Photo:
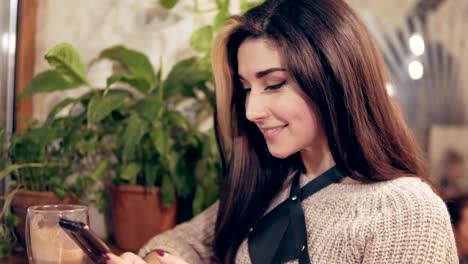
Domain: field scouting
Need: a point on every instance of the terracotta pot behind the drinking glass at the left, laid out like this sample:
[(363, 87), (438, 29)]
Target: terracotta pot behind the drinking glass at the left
[(24, 199)]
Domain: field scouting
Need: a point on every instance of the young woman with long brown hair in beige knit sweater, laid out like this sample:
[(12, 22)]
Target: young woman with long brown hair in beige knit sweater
[(319, 165)]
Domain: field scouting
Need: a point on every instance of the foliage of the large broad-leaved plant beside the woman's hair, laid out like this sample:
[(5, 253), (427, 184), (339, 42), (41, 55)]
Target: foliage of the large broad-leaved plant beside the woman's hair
[(132, 127)]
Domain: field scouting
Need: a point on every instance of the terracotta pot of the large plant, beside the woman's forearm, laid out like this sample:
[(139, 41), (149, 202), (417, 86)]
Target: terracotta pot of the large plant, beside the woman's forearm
[(138, 214)]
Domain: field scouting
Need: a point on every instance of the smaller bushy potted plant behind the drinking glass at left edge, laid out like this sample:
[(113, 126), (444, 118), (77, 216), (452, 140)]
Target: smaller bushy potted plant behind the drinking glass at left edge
[(38, 176)]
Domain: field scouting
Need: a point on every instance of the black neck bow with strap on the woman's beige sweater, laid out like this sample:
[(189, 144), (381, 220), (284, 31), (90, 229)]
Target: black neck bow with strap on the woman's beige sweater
[(281, 235)]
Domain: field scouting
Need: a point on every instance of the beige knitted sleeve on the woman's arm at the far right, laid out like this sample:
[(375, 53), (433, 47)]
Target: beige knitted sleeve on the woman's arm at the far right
[(415, 229)]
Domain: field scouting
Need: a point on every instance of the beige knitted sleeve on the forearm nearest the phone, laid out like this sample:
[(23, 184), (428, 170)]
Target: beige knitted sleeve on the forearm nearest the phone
[(192, 240)]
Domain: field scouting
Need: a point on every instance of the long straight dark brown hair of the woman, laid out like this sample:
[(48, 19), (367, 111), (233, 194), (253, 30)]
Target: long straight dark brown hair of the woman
[(331, 56)]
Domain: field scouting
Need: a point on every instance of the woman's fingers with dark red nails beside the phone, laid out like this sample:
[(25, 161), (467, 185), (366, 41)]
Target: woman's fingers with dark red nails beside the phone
[(155, 257)]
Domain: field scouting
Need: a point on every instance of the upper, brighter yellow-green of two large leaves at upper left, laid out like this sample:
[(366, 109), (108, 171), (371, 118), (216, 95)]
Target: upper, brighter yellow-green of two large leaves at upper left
[(67, 63)]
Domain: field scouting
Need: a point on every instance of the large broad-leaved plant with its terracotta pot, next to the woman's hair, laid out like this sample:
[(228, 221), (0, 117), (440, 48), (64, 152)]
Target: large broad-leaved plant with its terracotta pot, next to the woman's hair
[(159, 149)]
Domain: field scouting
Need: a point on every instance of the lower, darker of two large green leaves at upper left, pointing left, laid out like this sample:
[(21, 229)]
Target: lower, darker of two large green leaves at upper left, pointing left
[(48, 81)]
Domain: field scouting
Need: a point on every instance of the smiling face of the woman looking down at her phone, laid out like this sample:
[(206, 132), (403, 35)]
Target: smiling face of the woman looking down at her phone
[(285, 115)]
